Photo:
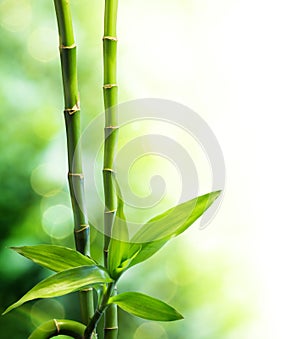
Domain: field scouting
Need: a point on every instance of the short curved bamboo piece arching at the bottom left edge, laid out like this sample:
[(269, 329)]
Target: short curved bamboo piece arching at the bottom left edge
[(53, 328)]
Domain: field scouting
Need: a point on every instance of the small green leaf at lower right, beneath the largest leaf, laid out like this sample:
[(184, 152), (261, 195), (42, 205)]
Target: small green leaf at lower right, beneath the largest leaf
[(146, 307)]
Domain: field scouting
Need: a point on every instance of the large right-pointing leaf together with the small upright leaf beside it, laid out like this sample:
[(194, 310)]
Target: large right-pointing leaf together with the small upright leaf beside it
[(155, 233)]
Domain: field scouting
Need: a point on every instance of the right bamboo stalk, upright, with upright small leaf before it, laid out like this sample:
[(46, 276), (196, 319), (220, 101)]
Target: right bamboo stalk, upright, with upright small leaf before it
[(110, 93)]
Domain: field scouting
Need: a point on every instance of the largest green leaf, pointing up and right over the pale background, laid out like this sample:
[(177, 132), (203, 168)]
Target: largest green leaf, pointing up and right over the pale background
[(160, 229)]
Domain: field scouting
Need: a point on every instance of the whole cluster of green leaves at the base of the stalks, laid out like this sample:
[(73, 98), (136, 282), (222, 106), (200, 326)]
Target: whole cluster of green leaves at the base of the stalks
[(74, 271)]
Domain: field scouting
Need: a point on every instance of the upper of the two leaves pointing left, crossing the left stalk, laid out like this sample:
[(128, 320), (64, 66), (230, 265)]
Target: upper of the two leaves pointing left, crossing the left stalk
[(56, 258)]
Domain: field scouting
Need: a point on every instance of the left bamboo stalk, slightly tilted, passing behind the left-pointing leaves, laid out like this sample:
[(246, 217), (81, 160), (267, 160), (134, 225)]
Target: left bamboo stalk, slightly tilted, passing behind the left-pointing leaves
[(68, 58)]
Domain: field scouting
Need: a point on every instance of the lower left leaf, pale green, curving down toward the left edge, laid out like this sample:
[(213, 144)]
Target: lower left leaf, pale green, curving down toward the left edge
[(65, 282)]
